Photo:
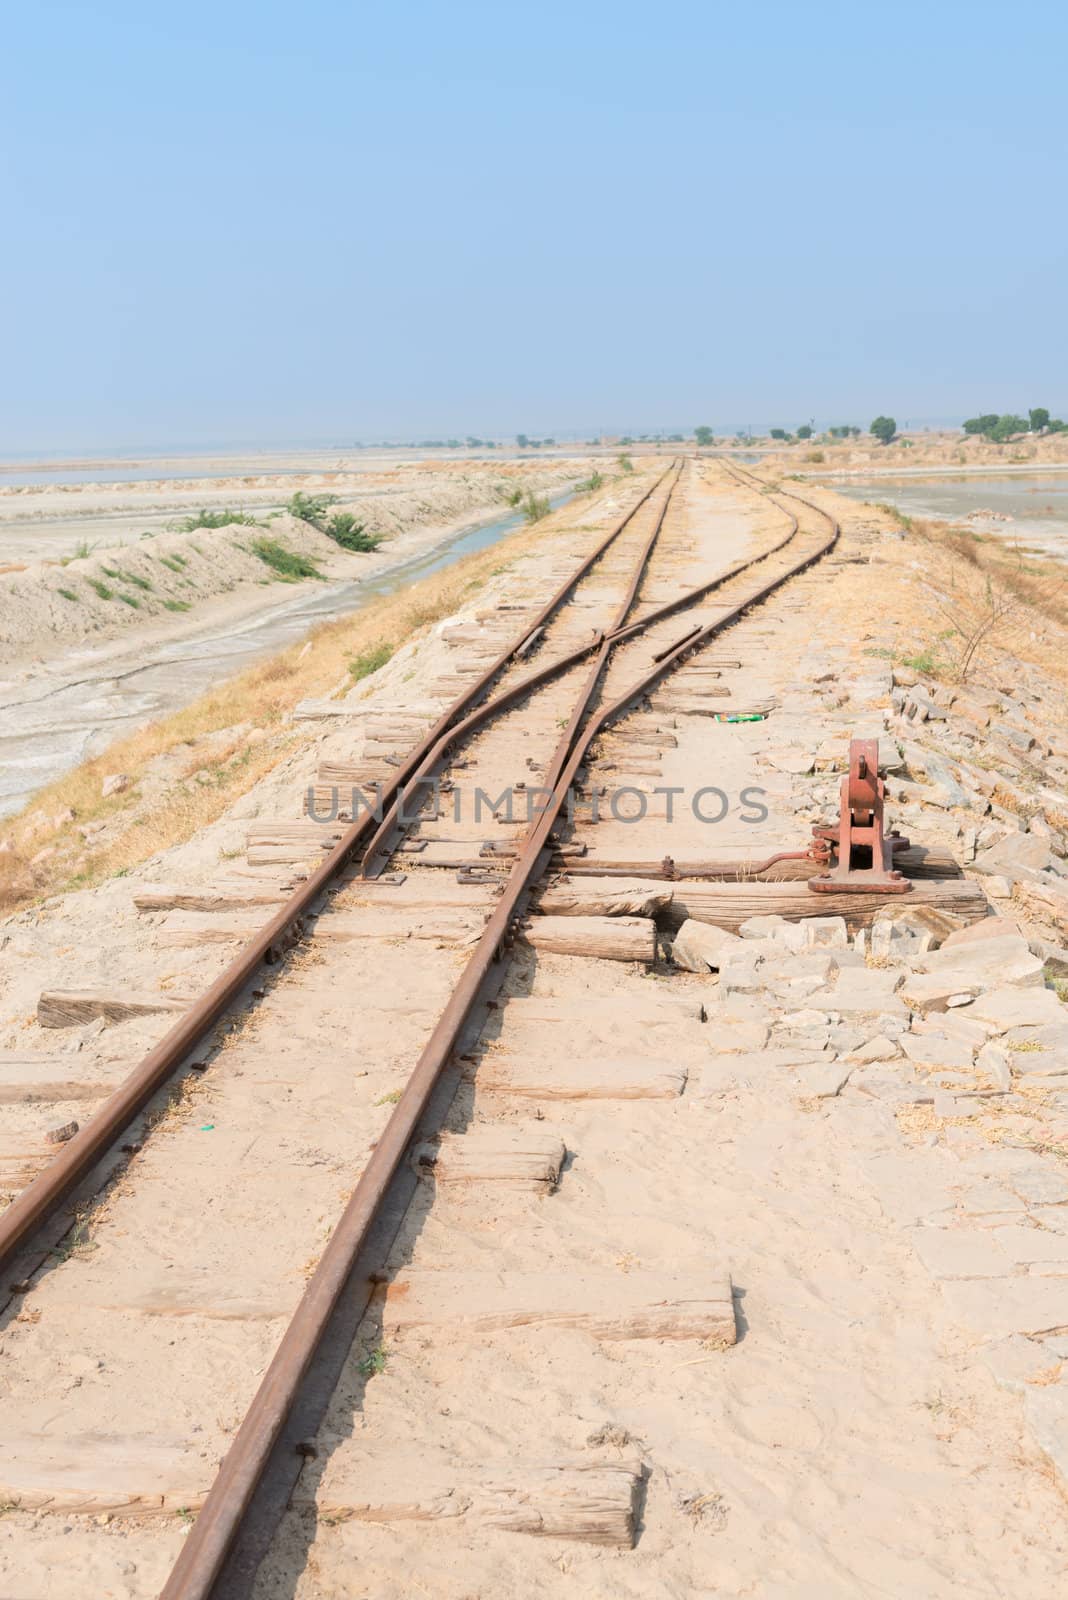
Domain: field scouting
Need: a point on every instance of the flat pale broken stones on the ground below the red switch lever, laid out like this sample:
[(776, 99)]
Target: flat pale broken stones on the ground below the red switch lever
[(944, 1060)]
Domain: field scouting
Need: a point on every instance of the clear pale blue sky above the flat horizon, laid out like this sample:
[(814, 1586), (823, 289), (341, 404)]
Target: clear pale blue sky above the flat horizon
[(337, 222)]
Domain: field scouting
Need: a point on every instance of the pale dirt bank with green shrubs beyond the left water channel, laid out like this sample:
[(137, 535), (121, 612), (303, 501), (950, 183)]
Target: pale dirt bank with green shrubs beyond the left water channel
[(170, 577)]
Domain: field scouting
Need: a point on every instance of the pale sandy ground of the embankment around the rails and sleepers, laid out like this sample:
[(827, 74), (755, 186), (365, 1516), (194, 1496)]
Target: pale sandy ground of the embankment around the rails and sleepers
[(890, 1418)]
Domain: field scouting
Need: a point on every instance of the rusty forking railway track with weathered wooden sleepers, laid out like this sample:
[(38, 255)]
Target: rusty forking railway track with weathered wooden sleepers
[(536, 711)]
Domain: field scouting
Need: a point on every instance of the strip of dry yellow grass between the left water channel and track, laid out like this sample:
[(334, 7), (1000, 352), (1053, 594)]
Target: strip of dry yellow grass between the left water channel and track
[(202, 786)]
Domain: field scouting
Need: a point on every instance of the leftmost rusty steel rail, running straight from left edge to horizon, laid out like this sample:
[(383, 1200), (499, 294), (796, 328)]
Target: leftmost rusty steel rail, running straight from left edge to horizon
[(78, 1159)]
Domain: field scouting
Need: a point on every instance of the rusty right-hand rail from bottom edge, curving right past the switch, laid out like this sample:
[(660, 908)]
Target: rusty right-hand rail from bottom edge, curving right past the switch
[(212, 1537)]
